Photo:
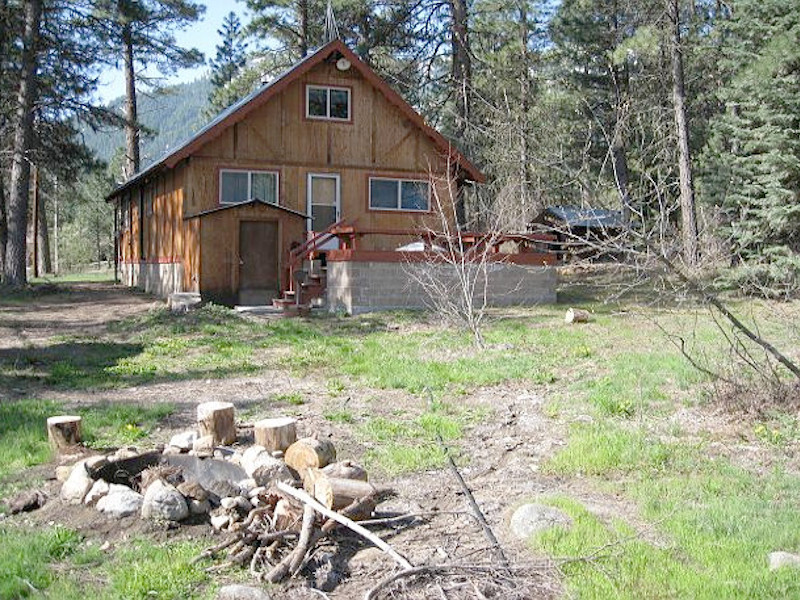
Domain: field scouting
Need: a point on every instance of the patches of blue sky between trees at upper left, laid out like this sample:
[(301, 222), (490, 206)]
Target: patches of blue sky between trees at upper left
[(202, 35)]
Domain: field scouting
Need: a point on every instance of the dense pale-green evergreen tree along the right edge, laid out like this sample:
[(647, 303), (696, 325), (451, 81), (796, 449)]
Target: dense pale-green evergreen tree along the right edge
[(752, 167)]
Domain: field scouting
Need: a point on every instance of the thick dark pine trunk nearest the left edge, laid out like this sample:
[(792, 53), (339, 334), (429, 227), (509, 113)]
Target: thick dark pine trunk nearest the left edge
[(14, 266)]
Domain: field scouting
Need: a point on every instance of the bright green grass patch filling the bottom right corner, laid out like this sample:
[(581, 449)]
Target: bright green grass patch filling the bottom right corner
[(718, 521)]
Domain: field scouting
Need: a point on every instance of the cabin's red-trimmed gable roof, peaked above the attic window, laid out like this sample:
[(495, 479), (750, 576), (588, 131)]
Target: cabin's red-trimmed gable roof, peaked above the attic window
[(239, 111)]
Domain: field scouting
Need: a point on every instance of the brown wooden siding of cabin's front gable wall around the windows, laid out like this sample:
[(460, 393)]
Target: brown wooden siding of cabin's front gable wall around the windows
[(379, 141)]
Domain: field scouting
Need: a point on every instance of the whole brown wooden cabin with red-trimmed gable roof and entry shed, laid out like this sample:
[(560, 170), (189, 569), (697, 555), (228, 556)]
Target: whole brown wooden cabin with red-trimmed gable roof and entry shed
[(327, 145)]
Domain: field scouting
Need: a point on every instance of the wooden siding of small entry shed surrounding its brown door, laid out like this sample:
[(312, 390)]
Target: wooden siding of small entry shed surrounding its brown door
[(219, 246)]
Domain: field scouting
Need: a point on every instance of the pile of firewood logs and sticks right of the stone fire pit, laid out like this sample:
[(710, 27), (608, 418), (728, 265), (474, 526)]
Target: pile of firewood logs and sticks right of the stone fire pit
[(277, 529)]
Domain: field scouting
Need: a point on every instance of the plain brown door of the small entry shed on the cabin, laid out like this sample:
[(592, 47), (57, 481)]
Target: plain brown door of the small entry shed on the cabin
[(259, 279)]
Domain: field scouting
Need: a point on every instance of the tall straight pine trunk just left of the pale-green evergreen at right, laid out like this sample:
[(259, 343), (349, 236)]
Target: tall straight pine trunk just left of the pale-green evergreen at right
[(688, 214)]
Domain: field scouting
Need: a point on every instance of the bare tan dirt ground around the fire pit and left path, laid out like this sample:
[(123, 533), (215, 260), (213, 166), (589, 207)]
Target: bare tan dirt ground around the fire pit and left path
[(504, 450)]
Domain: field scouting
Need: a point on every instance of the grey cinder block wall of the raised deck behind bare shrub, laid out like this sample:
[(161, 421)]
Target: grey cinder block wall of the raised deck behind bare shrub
[(356, 287)]
